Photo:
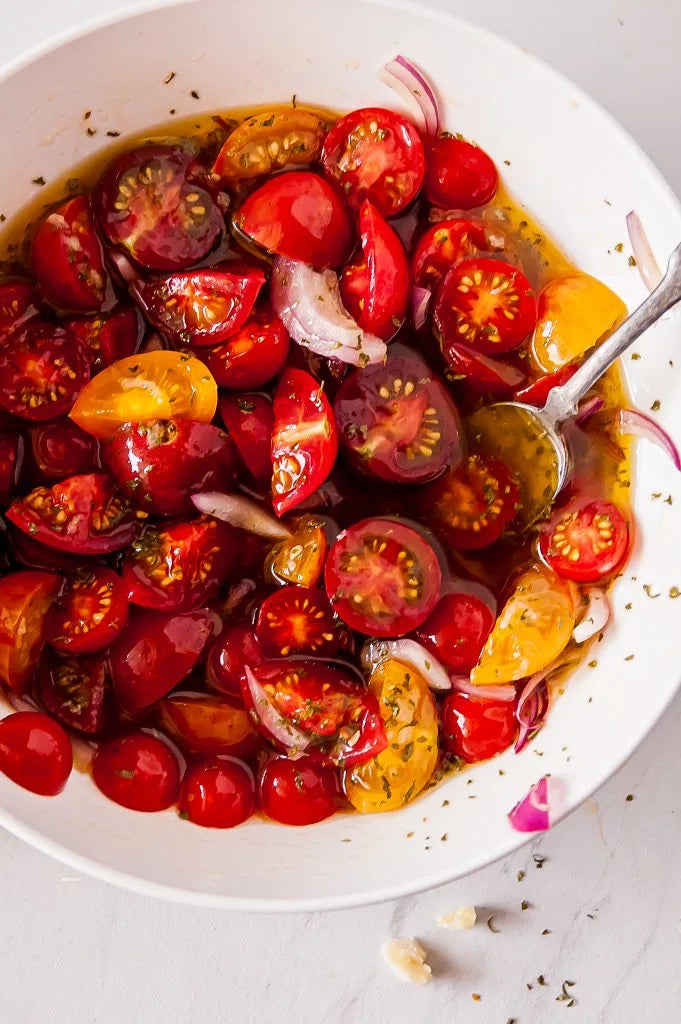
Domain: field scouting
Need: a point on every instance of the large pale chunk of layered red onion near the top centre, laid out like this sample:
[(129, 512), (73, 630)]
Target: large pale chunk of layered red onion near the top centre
[(309, 305)]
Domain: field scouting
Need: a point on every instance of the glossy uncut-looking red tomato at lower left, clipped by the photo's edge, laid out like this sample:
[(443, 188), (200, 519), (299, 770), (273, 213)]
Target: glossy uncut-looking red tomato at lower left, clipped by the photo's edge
[(35, 753)]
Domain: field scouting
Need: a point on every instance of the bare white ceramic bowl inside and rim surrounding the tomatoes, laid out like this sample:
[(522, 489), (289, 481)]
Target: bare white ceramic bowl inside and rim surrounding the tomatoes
[(580, 175)]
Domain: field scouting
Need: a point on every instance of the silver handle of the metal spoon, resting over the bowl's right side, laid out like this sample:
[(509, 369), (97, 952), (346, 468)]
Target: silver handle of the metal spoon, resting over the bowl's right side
[(564, 401)]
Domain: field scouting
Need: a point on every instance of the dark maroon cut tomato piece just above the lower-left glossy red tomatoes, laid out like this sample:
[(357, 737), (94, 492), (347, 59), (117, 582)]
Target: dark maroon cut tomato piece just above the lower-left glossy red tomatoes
[(76, 691)]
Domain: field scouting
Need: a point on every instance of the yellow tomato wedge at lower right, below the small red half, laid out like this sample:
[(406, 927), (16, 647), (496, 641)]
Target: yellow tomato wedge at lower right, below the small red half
[(534, 627)]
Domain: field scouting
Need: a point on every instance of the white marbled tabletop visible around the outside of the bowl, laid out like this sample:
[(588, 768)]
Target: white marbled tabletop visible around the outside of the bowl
[(73, 950)]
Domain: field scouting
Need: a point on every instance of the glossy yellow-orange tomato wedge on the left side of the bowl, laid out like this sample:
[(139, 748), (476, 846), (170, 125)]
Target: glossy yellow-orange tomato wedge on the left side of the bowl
[(148, 387)]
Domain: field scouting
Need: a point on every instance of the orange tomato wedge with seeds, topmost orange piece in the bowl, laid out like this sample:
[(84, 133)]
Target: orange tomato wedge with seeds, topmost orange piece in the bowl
[(270, 141)]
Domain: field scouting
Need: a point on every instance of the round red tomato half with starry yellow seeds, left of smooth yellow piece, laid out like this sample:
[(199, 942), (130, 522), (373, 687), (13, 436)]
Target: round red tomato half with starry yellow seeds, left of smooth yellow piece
[(487, 305)]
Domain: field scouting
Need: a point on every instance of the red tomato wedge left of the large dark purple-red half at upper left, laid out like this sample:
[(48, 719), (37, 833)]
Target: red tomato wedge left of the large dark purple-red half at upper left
[(68, 261)]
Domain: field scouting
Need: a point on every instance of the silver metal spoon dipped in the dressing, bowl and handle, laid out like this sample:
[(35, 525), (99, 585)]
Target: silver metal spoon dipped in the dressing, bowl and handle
[(529, 440)]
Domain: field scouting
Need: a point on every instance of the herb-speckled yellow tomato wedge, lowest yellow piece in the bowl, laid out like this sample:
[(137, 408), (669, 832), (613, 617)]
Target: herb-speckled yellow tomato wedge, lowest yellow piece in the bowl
[(400, 773)]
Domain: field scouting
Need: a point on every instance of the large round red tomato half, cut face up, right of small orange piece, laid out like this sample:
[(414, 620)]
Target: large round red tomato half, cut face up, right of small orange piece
[(382, 578)]
